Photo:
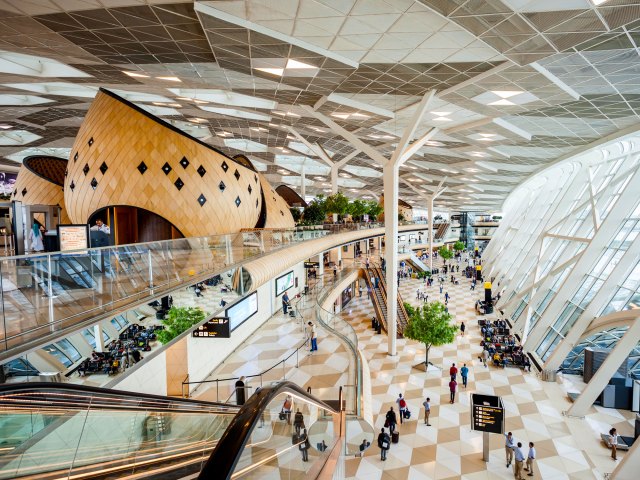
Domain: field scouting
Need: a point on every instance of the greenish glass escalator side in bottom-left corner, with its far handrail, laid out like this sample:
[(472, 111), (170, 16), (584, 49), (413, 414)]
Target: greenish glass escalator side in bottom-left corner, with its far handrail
[(54, 432)]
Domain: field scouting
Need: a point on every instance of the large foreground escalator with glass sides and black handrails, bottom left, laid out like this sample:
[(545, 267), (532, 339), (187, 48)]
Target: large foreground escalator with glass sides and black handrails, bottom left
[(60, 431)]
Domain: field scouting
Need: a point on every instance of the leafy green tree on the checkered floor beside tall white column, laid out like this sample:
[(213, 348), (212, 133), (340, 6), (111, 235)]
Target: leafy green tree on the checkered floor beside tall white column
[(430, 324)]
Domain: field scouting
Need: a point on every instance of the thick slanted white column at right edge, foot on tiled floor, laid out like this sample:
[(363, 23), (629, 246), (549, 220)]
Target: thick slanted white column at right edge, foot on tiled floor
[(601, 378)]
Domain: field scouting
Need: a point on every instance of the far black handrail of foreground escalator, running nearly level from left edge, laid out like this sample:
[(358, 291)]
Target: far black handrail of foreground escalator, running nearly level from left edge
[(81, 397)]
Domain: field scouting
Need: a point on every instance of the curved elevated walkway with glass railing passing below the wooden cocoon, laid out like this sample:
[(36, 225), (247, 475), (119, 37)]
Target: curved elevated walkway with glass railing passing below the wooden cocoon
[(46, 297)]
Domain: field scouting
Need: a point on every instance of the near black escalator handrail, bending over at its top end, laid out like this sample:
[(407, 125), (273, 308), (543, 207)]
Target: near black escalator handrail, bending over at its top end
[(224, 458)]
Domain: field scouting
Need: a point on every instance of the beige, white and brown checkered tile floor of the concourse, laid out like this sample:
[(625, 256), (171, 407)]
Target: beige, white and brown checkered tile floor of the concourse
[(567, 448)]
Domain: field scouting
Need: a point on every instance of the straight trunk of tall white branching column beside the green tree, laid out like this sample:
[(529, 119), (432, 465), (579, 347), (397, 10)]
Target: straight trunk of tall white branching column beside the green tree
[(390, 176)]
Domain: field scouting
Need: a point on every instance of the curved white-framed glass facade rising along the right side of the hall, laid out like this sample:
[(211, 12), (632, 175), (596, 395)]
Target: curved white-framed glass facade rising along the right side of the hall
[(567, 251)]
